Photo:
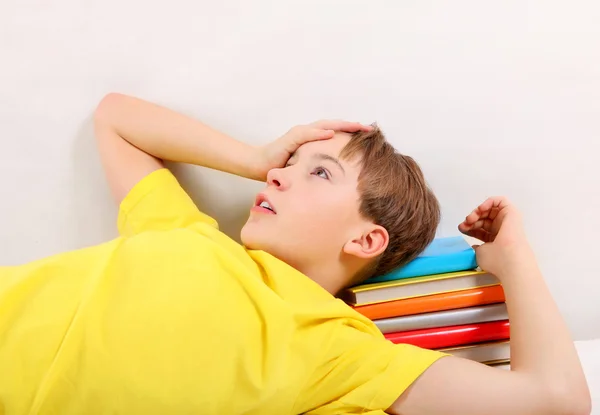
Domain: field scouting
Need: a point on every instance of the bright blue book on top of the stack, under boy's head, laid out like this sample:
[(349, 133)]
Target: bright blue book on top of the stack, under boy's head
[(441, 256)]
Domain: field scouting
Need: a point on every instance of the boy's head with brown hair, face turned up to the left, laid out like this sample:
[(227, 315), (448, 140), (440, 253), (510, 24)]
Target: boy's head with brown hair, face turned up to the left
[(345, 209)]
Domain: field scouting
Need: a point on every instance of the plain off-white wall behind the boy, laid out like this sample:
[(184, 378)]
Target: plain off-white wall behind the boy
[(490, 97)]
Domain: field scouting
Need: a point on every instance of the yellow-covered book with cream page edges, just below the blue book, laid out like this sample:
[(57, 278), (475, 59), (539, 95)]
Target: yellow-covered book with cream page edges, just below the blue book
[(417, 287)]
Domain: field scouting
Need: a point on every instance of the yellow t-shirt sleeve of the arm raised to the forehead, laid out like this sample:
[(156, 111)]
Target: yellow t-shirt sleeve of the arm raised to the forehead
[(158, 202)]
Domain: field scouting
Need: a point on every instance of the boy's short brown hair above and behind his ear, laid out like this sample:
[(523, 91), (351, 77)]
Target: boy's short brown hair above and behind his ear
[(395, 195)]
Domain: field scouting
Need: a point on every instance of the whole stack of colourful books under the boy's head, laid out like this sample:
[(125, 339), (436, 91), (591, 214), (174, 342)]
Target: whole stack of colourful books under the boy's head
[(441, 301)]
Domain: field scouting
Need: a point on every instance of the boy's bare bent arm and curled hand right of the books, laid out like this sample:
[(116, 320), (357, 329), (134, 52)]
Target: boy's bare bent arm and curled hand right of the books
[(546, 376)]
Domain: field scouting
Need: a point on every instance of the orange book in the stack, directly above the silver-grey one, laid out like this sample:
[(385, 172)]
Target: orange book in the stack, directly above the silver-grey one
[(437, 302)]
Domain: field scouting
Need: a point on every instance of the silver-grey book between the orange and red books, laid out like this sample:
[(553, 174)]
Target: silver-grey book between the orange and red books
[(458, 317)]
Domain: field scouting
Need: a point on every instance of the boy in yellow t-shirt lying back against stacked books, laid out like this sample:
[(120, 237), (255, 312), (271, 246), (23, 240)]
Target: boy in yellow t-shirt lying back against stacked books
[(175, 317)]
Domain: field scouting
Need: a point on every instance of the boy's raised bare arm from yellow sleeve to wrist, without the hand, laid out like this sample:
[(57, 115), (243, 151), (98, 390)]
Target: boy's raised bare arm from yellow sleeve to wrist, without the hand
[(134, 136)]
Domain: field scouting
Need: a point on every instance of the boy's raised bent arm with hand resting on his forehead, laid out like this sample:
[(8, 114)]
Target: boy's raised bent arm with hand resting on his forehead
[(134, 136)]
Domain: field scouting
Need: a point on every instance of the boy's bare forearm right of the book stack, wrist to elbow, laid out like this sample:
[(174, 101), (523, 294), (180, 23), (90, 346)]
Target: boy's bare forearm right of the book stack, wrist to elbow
[(541, 345)]
